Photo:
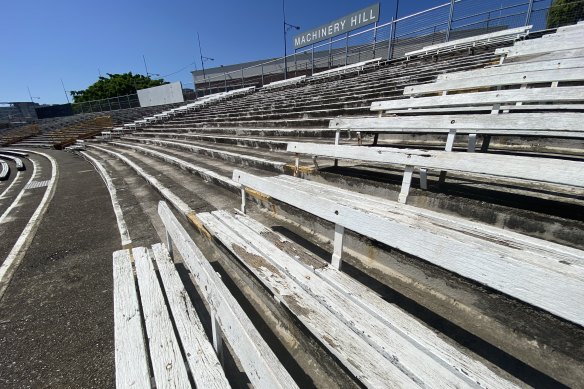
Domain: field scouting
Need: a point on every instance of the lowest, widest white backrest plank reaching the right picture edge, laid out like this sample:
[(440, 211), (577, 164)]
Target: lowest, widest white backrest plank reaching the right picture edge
[(557, 290)]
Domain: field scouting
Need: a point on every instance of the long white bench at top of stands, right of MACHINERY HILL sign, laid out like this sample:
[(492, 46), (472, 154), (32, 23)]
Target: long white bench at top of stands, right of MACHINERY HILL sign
[(470, 42)]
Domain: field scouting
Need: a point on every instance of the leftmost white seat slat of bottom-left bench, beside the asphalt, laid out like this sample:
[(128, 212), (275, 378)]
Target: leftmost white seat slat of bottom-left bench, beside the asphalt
[(131, 359)]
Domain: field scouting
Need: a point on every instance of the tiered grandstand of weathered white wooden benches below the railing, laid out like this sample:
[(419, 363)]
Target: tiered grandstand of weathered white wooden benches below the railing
[(238, 143)]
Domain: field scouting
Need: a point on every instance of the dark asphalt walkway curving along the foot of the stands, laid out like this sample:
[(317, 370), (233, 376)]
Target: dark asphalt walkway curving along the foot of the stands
[(56, 317)]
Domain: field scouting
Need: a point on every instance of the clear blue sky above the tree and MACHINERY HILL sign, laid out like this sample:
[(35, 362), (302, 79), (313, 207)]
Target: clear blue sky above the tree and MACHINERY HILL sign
[(46, 41)]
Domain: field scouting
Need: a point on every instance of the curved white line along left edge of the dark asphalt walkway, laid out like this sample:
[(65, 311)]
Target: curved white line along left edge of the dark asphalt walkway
[(17, 253)]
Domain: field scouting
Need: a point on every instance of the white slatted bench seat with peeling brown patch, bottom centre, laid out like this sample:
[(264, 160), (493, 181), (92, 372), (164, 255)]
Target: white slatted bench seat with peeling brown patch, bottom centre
[(381, 345)]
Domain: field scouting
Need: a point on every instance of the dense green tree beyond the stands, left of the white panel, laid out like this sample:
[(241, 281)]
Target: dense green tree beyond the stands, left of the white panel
[(115, 85)]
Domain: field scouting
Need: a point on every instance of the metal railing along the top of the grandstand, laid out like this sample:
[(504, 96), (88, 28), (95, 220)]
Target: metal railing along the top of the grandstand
[(449, 21)]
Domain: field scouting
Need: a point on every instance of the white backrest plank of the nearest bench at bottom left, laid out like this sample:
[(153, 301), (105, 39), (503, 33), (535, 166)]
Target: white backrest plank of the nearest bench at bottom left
[(259, 362)]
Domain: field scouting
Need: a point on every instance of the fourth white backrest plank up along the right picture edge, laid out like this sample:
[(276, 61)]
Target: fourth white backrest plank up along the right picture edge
[(534, 95)]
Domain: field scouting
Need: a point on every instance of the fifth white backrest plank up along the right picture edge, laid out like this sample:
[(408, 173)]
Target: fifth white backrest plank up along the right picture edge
[(560, 75)]
